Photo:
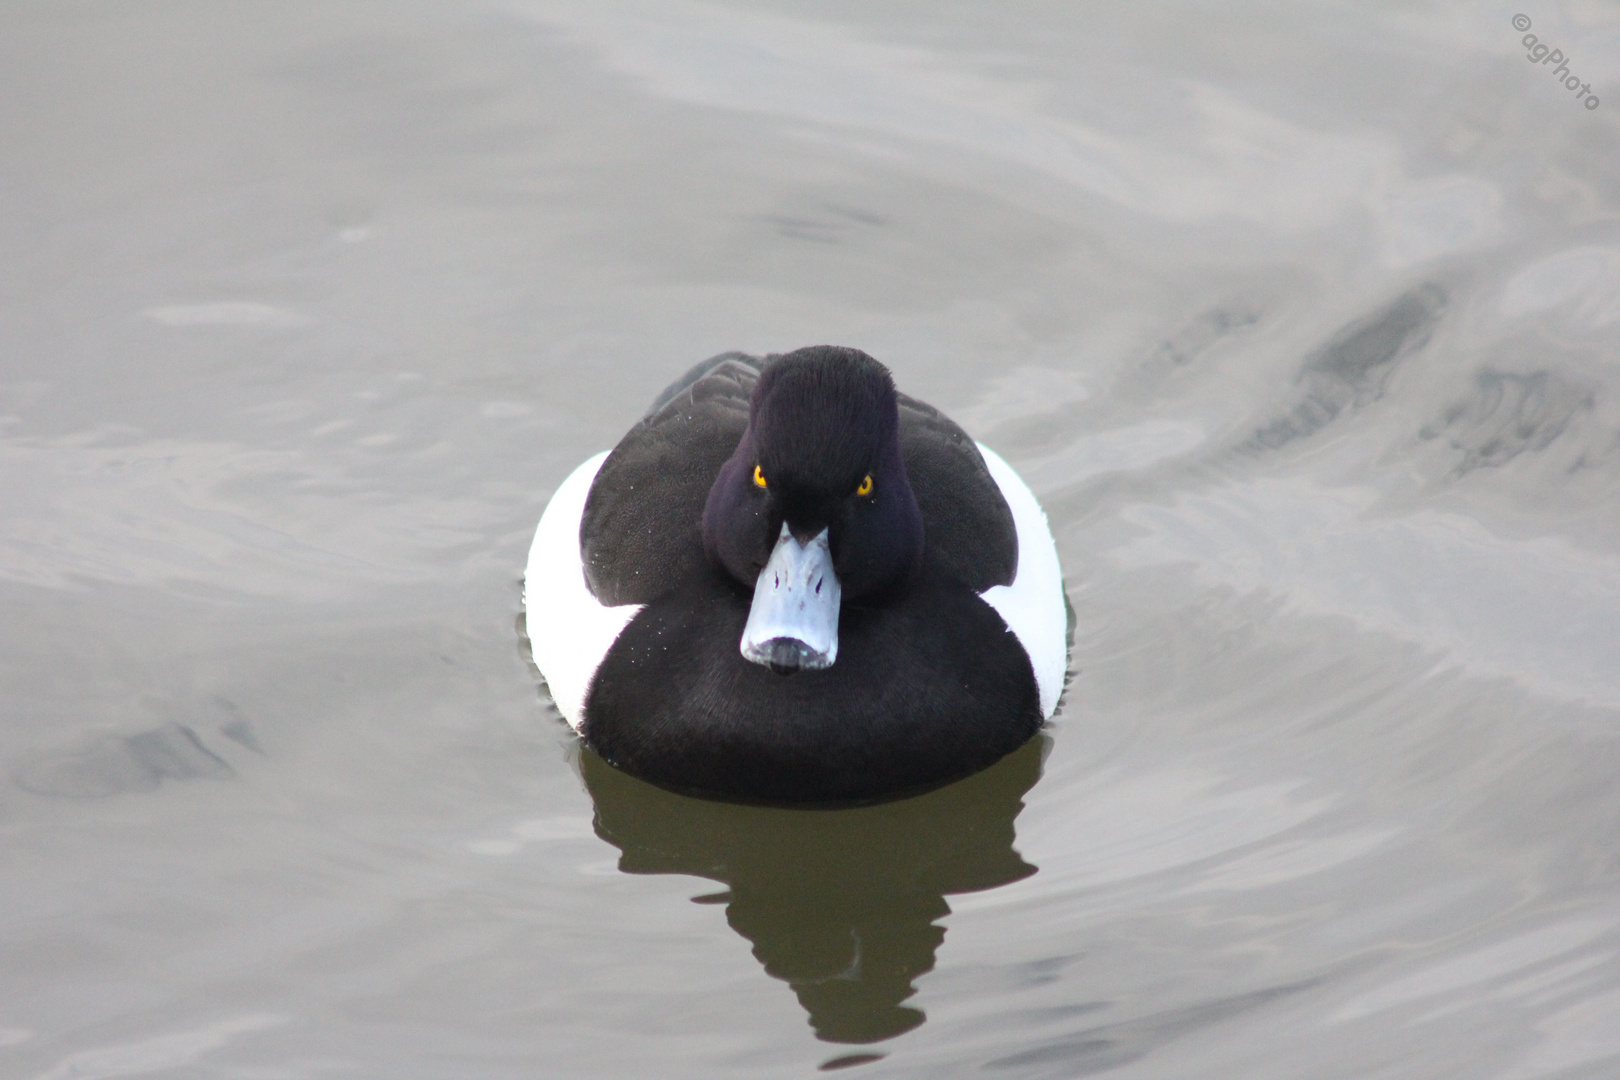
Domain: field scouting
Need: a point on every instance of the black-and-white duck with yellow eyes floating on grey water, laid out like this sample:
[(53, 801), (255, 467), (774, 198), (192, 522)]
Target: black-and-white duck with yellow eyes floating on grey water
[(791, 584)]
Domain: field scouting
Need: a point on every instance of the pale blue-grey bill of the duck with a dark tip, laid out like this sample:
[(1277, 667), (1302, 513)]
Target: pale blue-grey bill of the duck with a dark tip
[(793, 624)]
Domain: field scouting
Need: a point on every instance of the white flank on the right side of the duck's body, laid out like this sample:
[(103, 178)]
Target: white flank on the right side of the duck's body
[(1033, 606)]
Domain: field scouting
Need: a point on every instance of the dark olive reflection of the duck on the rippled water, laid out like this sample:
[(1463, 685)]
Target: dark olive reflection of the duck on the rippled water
[(840, 904)]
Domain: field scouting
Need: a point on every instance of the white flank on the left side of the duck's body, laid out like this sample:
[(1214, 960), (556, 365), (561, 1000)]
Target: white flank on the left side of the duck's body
[(569, 631)]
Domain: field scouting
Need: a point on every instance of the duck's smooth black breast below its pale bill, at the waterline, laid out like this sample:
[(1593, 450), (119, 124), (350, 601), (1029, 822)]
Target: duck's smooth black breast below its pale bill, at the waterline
[(924, 692)]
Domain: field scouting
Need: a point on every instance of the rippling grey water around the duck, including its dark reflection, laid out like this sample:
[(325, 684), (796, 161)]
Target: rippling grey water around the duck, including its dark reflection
[(1303, 323)]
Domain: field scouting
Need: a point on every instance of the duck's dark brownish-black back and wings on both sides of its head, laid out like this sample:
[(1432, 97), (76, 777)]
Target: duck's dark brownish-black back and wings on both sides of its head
[(642, 532)]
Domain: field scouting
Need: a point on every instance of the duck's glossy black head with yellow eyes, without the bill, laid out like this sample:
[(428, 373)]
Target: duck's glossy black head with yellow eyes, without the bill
[(821, 456)]
